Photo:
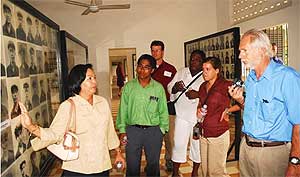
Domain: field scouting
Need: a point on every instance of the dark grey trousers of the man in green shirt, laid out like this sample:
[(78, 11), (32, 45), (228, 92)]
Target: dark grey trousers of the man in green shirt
[(149, 139)]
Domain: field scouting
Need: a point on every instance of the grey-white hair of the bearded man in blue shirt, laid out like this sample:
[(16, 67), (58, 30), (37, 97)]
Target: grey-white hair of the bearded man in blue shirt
[(259, 39)]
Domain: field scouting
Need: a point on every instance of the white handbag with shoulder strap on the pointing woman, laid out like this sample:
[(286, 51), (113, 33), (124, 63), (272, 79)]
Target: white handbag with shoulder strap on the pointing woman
[(68, 149)]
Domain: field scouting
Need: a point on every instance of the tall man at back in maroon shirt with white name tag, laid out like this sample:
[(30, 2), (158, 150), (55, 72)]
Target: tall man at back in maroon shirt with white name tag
[(164, 74)]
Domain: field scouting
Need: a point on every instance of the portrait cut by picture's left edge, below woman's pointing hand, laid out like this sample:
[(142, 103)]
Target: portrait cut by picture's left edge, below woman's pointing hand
[(7, 152)]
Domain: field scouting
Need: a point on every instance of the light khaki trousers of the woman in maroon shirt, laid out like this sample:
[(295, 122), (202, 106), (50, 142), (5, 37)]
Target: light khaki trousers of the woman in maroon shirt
[(214, 154)]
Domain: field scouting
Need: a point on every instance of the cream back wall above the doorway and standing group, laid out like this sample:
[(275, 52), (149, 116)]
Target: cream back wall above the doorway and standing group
[(174, 23)]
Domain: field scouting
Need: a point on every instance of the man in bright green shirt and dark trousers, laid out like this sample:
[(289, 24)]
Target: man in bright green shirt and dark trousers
[(143, 118)]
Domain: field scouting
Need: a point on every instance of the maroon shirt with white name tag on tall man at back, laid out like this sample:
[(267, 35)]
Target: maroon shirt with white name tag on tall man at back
[(164, 74)]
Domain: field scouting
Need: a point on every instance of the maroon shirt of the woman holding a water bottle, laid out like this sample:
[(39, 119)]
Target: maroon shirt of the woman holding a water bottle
[(217, 101)]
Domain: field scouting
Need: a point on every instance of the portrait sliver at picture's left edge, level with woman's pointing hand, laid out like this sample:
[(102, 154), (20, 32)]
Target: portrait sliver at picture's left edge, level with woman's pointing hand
[(4, 101)]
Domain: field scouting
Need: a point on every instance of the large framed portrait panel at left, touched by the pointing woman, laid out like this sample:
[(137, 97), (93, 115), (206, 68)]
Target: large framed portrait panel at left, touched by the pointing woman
[(30, 73)]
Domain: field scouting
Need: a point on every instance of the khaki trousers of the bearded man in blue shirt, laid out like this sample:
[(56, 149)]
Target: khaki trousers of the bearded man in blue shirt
[(263, 161)]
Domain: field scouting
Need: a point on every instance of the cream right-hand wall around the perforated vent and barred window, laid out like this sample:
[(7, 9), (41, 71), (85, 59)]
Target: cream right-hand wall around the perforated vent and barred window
[(289, 15)]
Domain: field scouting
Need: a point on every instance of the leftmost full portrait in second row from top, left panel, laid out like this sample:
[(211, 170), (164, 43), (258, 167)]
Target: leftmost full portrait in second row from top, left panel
[(12, 69)]
